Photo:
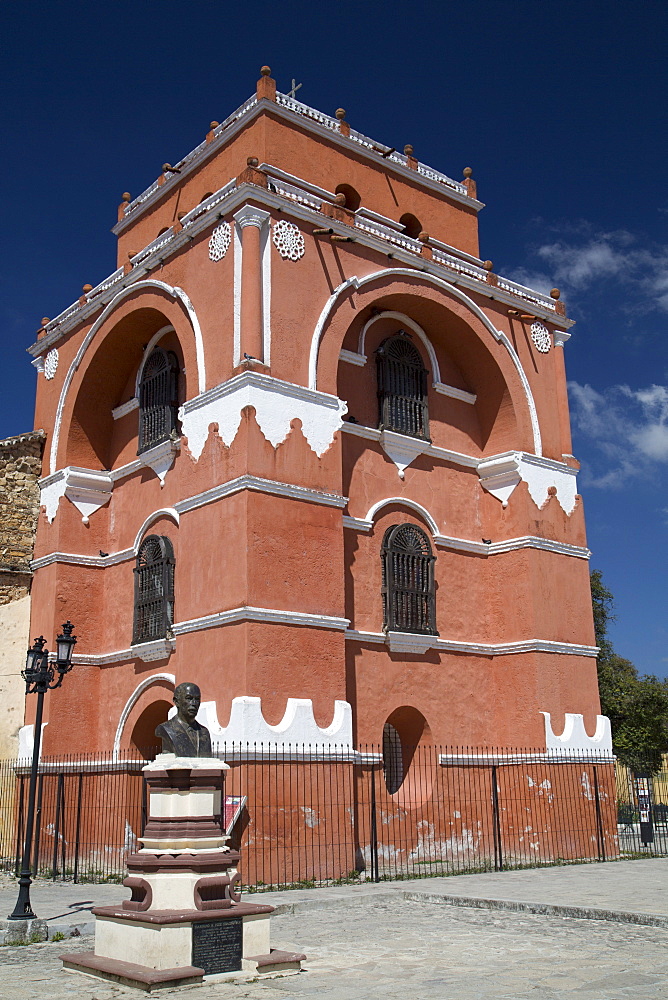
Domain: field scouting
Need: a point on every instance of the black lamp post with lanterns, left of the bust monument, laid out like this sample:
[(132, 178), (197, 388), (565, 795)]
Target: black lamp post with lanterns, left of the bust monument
[(39, 676)]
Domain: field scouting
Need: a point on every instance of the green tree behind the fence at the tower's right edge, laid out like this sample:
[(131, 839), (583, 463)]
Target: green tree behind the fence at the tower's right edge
[(637, 706)]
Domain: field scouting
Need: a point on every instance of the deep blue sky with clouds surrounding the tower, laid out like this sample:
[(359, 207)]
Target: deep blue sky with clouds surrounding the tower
[(559, 106)]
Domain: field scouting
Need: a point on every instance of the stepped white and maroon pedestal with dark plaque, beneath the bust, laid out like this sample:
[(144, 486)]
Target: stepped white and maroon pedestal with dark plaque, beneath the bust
[(185, 919)]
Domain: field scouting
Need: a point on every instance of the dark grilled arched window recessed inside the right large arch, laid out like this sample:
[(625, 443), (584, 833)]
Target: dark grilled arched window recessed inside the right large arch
[(402, 387)]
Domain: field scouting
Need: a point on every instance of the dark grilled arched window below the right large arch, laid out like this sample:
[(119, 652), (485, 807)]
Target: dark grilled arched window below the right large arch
[(409, 599)]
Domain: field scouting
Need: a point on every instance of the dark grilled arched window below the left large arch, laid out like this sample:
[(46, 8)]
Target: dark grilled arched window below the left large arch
[(154, 589)]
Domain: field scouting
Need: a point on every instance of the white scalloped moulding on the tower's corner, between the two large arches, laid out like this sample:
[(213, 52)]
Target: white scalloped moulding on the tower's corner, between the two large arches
[(276, 404)]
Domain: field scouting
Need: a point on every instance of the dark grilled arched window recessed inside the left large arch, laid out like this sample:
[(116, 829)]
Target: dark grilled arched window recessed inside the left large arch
[(158, 400)]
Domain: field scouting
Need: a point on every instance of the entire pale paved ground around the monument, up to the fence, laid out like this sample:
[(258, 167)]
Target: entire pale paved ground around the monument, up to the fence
[(387, 941)]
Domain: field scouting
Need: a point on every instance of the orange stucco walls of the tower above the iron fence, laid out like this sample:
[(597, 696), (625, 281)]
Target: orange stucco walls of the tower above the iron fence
[(255, 548)]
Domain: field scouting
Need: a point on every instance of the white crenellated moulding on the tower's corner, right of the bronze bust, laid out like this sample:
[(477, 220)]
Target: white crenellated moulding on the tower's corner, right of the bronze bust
[(297, 729)]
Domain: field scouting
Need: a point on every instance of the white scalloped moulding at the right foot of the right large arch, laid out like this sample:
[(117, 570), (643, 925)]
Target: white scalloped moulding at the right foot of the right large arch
[(500, 474)]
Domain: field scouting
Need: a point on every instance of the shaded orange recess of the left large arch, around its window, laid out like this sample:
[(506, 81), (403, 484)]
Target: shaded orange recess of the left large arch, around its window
[(94, 439)]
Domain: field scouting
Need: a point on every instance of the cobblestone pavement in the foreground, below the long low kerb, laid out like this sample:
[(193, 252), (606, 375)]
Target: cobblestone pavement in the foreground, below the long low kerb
[(387, 948)]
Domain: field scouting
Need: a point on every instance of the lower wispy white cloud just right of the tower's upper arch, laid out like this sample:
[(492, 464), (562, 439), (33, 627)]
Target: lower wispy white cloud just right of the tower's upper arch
[(628, 427)]
